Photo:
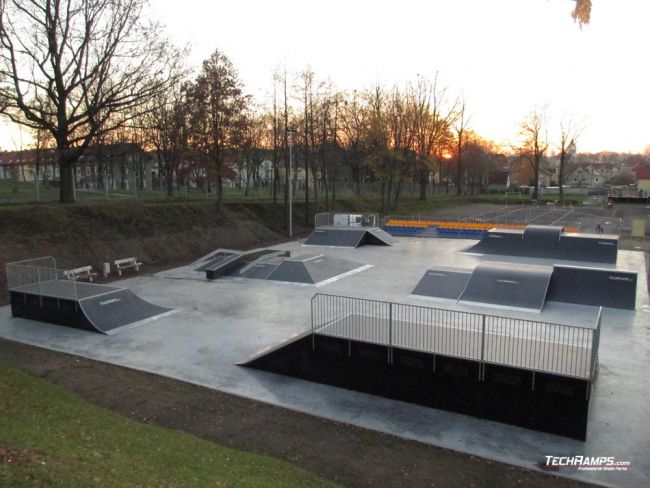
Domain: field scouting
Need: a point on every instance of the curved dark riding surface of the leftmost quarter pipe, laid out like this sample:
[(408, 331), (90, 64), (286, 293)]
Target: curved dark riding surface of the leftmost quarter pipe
[(119, 308)]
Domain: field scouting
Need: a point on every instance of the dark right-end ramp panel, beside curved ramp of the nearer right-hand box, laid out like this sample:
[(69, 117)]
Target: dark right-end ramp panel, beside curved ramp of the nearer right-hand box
[(593, 286)]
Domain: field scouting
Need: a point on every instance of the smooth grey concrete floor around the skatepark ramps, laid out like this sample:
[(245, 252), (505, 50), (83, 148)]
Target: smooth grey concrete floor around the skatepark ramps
[(225, 321)]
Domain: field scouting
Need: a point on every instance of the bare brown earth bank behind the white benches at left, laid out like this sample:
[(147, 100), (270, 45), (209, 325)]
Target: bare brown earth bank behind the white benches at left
[(158, 235)]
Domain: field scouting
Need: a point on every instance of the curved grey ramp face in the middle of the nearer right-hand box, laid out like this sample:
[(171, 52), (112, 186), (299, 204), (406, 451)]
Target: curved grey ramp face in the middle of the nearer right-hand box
[(523, 287)]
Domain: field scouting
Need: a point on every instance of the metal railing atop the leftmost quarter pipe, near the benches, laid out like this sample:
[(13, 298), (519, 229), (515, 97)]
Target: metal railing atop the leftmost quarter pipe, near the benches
[(38, 275)]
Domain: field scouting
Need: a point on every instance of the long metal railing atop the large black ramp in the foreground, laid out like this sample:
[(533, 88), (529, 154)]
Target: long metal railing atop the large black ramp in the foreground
[(490, 339)]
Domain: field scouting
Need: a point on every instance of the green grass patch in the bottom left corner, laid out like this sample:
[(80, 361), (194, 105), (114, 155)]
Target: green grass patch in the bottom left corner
[(50, 437)]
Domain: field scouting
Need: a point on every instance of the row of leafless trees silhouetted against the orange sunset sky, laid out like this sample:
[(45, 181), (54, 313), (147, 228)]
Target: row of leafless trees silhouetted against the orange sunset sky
[(83, 73)]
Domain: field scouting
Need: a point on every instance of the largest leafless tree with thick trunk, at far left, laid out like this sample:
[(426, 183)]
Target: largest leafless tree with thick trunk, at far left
[(70, 66)]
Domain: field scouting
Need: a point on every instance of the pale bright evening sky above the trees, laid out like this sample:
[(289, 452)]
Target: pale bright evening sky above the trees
[(505, 57)]
